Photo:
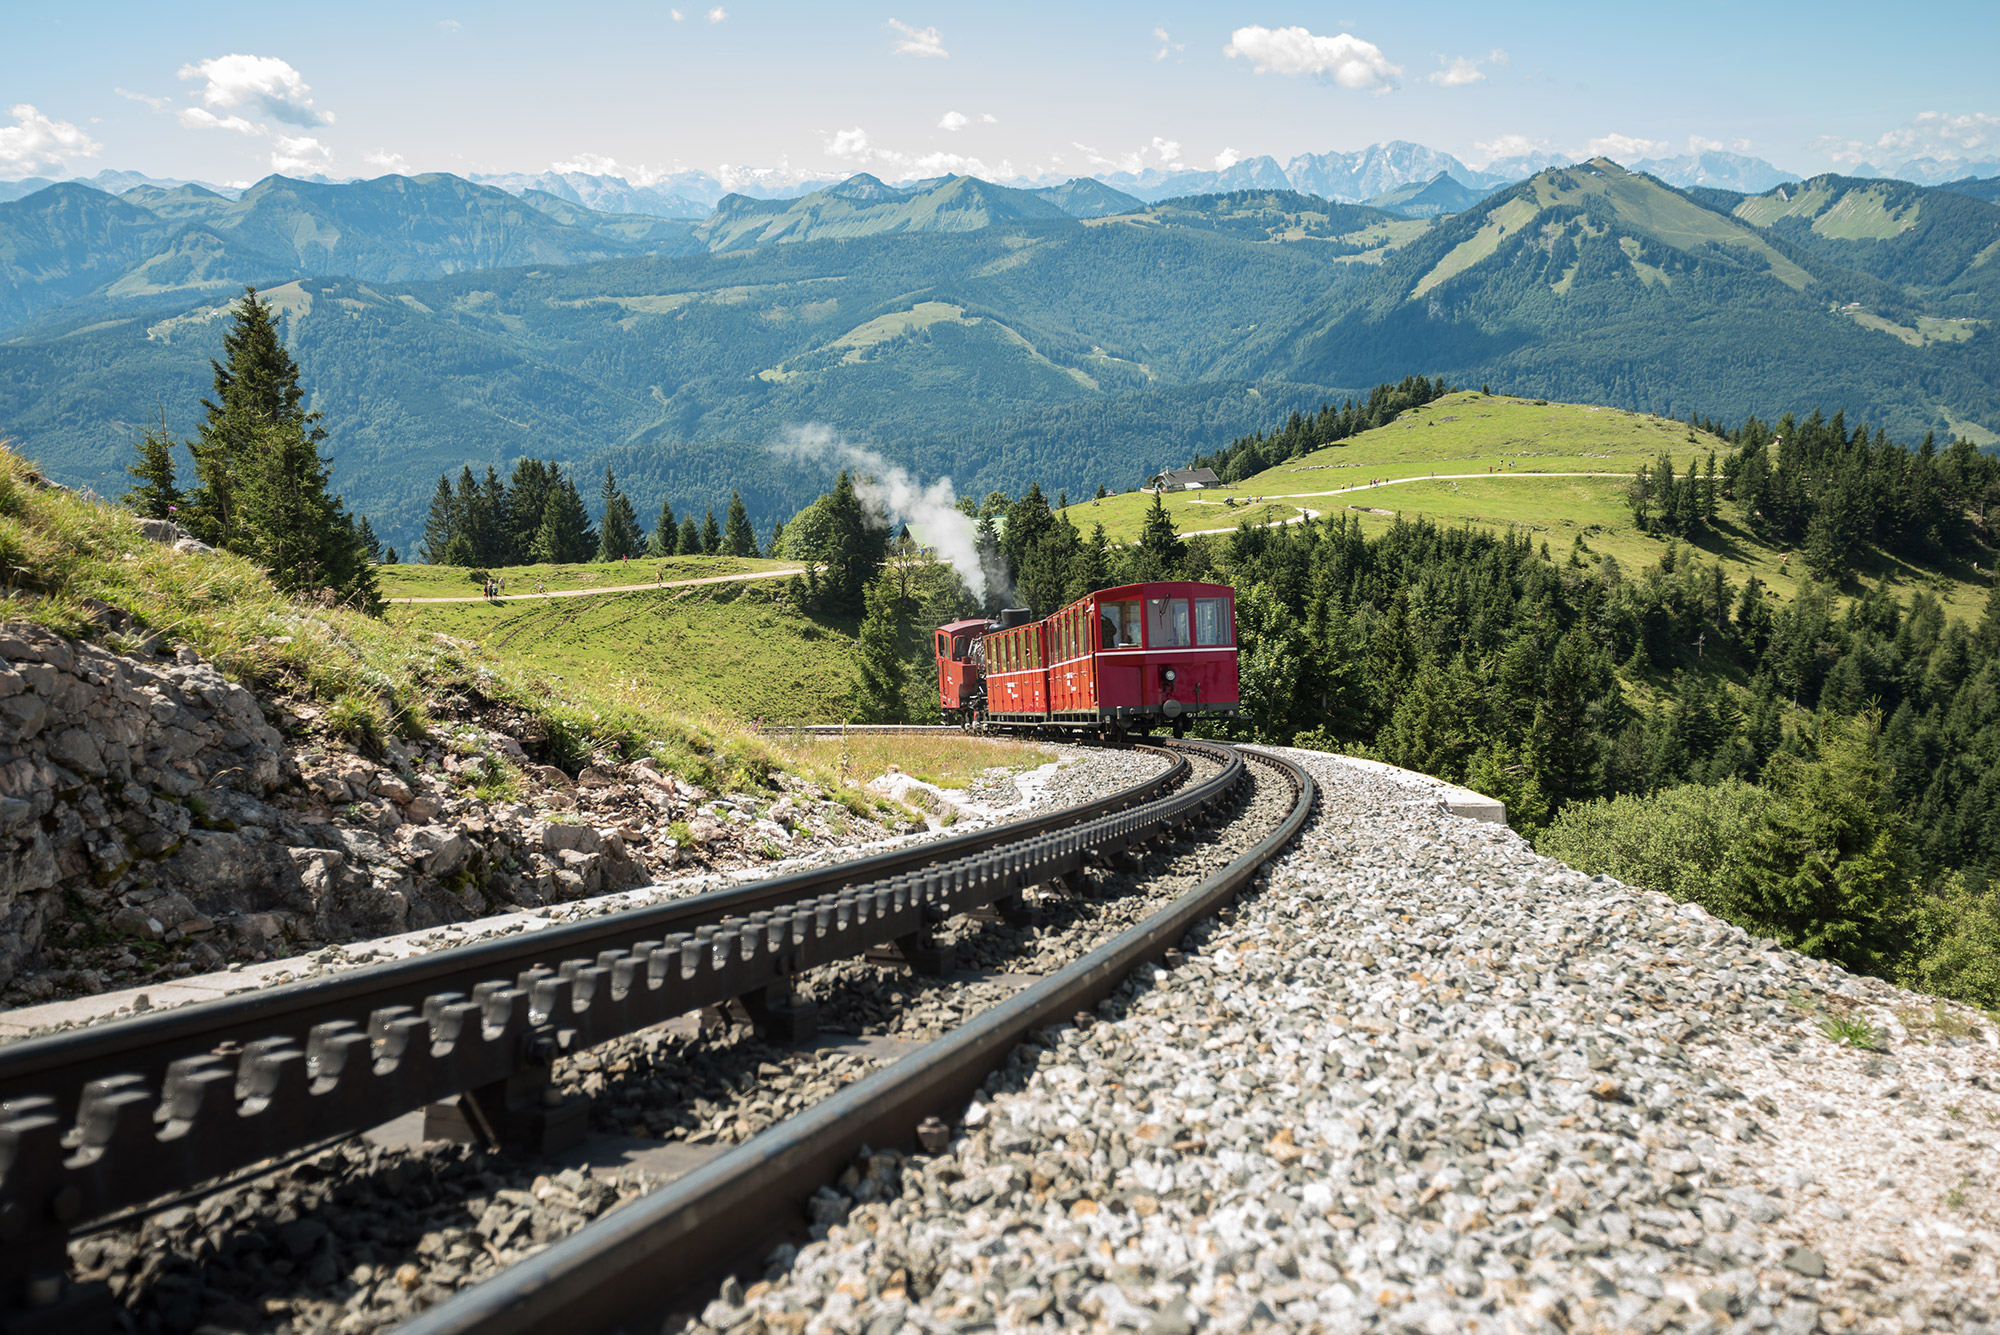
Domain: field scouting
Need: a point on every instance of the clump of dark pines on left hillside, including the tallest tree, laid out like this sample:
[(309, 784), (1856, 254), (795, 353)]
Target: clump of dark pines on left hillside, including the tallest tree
[(261, 485)]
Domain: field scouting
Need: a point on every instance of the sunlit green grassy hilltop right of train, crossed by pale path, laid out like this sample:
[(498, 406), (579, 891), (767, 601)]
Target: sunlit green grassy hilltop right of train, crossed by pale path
[(1473, 433)]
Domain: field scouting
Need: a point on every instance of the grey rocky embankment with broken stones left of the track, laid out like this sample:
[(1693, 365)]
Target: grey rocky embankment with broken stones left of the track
[(159, 820)]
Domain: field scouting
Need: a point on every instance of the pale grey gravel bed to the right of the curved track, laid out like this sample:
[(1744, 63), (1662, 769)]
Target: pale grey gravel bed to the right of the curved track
[(1433, 1082)]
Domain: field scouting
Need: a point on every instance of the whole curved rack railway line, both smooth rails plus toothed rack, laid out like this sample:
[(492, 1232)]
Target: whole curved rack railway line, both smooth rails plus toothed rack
[(129, 1114)]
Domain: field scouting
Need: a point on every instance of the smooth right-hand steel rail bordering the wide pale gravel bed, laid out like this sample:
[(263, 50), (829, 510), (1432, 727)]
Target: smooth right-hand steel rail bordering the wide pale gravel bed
[(621, 1272)]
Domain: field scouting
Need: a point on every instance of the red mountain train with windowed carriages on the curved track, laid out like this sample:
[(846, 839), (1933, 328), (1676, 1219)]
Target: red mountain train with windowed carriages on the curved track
[(1117, 663)]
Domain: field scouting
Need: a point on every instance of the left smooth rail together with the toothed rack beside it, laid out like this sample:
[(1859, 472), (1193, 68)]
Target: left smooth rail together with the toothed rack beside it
[(121, 1116)]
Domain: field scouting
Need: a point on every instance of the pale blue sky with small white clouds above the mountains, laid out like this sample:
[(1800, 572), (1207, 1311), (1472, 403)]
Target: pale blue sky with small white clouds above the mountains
[(231, 93)]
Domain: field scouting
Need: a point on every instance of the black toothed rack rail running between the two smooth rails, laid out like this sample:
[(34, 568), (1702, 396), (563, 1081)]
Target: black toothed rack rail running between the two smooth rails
[(213, 1116)]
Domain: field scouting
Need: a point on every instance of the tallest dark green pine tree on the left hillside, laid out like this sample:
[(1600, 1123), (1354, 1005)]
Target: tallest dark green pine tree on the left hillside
[(257, 387)]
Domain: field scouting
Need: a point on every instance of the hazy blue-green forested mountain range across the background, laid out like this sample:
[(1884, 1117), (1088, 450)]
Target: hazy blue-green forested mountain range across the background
[(1069, 335)]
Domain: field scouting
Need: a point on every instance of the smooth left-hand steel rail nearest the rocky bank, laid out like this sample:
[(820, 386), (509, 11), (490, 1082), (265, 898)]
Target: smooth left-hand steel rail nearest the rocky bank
[(63, 1064)]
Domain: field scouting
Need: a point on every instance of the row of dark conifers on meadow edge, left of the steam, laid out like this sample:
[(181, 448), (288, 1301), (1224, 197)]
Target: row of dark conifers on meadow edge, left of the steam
[(539, 517)]
